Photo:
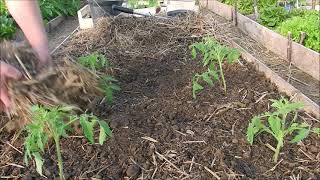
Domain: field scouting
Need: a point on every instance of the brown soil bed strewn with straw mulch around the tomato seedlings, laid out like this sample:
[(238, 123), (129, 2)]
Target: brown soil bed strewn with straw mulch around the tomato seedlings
[(154, 69)]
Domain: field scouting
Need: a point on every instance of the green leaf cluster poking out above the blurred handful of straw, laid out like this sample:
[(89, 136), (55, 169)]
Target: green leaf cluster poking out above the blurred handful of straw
[(94, 61)]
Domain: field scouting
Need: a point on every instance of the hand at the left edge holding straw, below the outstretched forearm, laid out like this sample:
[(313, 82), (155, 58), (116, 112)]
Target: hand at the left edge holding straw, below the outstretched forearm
[(7, 72)]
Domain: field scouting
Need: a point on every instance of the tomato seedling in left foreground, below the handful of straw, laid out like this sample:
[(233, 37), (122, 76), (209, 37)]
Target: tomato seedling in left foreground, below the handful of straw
[(54, 122)]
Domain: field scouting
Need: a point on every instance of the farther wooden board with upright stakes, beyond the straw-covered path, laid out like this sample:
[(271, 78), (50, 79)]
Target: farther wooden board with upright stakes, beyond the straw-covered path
[(303, 58)]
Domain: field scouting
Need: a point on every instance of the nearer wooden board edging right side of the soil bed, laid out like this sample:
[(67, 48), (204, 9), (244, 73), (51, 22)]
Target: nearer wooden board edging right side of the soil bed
[(282, 85)]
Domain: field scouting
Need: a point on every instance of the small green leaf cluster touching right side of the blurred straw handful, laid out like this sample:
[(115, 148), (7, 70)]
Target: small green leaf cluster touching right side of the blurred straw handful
[(109, 86)]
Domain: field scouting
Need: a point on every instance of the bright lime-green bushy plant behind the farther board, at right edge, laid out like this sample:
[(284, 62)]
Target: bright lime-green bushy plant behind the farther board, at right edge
[(309, 23)]
